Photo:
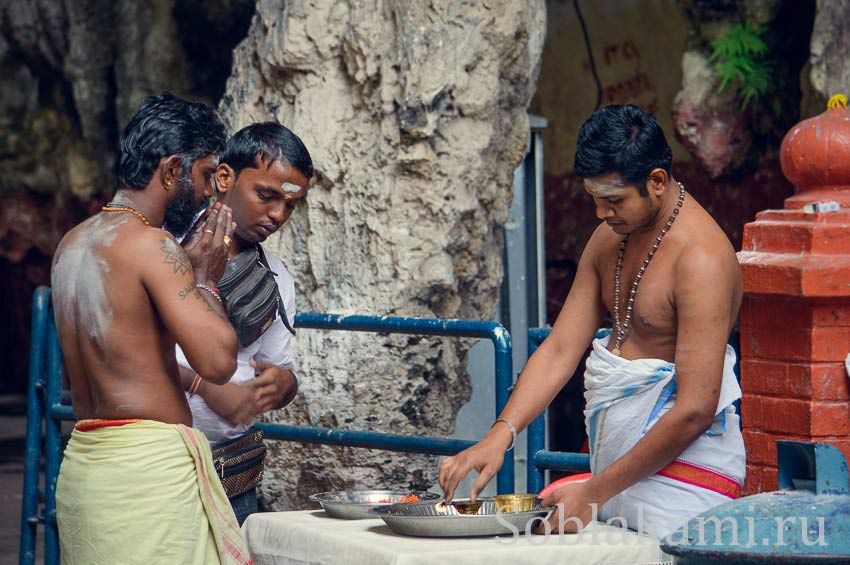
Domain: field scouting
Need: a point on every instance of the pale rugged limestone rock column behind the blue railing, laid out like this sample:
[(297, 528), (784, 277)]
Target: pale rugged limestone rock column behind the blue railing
[(415, 115)]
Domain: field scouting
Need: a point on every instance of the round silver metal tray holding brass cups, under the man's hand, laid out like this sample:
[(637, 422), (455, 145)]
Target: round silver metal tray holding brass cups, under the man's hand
[(424, 520)]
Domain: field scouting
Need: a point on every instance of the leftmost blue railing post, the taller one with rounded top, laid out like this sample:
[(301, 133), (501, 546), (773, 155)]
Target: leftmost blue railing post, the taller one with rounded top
[(35, 415)]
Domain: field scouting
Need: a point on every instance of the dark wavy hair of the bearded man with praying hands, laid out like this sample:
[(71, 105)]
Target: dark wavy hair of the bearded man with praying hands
[(166, 125)]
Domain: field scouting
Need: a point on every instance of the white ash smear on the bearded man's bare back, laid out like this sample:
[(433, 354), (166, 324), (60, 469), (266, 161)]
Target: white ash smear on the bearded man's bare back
[(79, 276)]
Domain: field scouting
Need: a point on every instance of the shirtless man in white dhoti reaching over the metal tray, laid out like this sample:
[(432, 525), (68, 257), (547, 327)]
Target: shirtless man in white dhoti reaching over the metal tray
[(665, 439)]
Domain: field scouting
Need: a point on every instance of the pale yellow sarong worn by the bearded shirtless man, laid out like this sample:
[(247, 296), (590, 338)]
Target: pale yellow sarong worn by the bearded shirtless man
[(140, 491)]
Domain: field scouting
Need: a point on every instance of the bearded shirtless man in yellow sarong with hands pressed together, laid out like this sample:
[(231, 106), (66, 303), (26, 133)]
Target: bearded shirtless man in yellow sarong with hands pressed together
[(135, 482)]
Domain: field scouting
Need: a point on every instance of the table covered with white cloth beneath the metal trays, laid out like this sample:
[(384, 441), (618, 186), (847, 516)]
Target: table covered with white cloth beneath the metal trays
[(310, 536)]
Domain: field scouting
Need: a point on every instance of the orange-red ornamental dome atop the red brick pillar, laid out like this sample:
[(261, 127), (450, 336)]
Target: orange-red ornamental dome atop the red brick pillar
[(815, 156)]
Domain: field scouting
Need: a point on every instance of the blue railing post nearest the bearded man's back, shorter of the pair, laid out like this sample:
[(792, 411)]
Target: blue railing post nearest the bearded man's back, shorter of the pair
[(52, 444)]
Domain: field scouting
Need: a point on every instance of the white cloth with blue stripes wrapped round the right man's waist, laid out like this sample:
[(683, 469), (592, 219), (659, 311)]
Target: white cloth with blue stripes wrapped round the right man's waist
[(624, 400)]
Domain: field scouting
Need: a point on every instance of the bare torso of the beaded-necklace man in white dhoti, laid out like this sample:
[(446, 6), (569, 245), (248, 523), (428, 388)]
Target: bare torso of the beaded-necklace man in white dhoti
[(694, 236)]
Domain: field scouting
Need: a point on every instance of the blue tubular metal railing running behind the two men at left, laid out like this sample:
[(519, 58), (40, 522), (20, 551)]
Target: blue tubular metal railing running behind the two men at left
[(46, 394)]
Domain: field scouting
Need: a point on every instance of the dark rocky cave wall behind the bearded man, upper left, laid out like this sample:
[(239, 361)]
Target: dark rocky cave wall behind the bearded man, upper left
[(72, 73)]
